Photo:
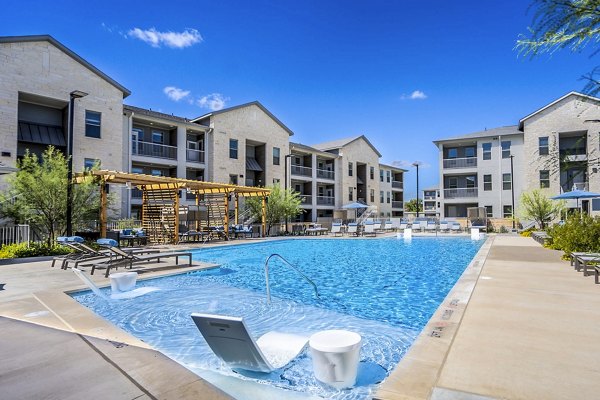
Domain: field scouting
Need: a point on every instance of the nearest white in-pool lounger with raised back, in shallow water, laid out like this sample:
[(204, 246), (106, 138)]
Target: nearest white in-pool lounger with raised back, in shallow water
[(229, 339)]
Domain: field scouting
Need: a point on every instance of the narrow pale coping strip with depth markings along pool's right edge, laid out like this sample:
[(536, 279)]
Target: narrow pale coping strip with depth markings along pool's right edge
[(416, 375)]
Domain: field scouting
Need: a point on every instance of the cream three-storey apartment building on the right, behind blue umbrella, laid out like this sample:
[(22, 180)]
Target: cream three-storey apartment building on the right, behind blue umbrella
[(555, 148)]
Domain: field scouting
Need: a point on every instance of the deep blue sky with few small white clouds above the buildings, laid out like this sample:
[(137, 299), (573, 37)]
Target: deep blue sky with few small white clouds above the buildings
[(401, 72)]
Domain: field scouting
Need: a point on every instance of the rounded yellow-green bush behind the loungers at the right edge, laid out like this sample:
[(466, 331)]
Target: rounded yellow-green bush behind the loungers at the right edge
[(578, 233)]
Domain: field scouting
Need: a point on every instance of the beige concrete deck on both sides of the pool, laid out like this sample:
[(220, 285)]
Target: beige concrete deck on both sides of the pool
[(519, 324)]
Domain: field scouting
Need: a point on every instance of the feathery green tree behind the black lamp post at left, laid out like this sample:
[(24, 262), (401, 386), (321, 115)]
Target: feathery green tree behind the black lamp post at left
[(37, 194)]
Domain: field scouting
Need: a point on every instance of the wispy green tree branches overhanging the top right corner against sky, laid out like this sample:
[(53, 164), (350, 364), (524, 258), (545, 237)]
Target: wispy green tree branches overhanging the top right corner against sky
[(559, 24)]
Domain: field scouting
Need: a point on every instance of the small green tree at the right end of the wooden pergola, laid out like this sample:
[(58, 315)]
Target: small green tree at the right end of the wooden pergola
[(281, 204)]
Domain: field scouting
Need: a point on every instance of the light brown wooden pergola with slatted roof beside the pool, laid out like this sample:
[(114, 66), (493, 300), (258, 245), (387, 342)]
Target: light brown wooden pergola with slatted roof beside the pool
[(149, 183)]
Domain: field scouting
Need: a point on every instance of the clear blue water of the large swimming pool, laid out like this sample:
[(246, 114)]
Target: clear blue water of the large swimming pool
[(384, 289)]
